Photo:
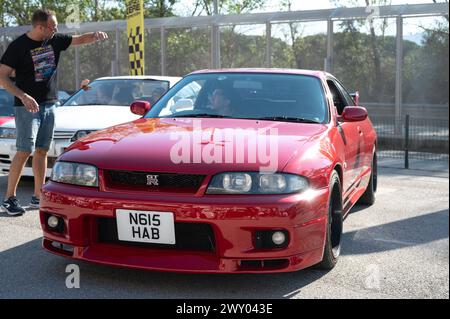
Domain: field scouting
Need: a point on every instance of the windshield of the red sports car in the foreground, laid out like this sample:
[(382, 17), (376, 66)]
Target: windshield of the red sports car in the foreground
[(276, 97)]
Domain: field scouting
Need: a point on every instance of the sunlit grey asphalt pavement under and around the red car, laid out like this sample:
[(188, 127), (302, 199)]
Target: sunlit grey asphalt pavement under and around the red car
[(397, 248)]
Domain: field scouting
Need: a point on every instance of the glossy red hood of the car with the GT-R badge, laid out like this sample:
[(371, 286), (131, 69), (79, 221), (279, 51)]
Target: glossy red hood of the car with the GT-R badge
[(186, 145)]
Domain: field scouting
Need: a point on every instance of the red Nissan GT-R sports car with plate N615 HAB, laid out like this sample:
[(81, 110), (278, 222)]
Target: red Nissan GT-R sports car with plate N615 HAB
[(231, 171)]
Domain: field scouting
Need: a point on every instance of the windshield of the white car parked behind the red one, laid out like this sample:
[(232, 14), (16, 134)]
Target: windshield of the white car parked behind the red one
[(119, 92)]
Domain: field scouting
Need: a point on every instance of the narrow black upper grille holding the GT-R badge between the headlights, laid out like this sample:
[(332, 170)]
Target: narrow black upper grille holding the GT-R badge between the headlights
[(166, 182)]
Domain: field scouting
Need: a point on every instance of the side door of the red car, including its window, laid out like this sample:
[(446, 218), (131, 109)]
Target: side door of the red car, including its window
[(352, 136)]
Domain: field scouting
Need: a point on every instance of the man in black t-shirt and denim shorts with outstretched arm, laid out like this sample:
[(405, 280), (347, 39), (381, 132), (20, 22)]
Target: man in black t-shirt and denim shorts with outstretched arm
[(34, 56)]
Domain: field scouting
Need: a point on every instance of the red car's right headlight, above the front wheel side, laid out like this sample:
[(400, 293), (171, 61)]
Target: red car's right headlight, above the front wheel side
[(256, 183)]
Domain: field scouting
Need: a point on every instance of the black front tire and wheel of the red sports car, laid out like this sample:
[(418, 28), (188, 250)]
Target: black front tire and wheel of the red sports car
[(332, 248)]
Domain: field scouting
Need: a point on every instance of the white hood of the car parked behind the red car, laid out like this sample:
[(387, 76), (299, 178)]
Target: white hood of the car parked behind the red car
[(88, 117)]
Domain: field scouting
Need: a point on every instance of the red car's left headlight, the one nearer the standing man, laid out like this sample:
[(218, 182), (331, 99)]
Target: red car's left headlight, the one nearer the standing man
[(74, 173)]
